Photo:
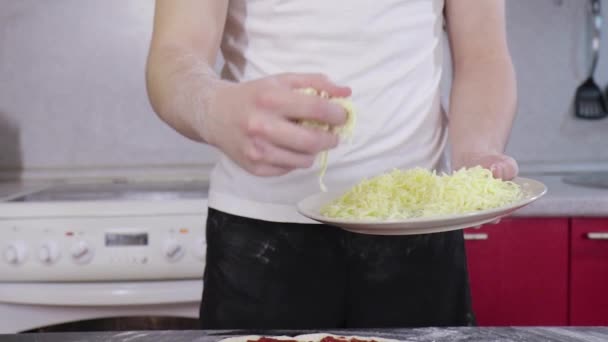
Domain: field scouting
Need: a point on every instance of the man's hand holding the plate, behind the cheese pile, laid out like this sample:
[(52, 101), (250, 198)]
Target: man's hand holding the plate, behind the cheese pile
[(501, 165)]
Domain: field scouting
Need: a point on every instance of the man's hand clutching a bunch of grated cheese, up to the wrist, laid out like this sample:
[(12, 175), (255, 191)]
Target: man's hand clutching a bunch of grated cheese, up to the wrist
[(255, 123)]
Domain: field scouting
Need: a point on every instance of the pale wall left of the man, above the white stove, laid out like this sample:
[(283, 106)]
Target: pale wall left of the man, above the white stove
[(72, 90)]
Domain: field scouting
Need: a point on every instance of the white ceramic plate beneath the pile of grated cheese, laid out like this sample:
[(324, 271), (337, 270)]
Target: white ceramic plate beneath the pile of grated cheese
[(311, 206)]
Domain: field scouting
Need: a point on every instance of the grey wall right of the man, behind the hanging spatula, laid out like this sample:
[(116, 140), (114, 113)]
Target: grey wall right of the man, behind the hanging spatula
[(550, 45)]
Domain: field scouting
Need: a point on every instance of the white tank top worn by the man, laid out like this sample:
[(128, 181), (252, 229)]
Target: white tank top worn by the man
[(388, 51)]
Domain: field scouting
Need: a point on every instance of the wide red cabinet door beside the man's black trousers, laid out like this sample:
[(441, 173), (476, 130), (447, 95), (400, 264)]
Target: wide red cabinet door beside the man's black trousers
[(519, 271)]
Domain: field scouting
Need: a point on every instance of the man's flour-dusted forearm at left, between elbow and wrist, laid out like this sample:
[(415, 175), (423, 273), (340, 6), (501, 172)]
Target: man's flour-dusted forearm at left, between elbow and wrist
[(181, 85)]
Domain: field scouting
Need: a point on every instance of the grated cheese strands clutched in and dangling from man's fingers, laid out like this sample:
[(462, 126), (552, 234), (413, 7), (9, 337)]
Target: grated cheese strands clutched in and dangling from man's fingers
[(345, 131)]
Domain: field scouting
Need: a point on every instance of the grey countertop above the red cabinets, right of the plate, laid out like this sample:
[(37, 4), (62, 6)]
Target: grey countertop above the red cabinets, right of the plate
[(566, 200)]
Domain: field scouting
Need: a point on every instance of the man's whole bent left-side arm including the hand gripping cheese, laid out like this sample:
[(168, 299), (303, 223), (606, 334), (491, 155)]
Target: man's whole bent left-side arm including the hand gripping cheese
[(254, 123)]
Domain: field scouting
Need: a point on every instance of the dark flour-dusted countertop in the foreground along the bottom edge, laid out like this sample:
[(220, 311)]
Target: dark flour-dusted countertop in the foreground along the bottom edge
[(470, 334)]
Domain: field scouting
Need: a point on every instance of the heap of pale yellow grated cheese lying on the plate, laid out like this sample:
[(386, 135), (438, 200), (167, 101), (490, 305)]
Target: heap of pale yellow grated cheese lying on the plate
[(418, 193)]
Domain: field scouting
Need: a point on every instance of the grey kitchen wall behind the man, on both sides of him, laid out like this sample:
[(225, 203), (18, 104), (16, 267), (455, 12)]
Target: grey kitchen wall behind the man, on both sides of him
[(72, 92)]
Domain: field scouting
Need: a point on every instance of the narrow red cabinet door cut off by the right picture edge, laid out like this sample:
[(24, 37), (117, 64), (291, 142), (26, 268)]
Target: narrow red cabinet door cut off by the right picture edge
[(589, 272)]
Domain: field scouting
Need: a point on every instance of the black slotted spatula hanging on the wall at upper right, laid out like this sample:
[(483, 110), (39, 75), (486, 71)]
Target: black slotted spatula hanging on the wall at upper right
[(589, 101)]
